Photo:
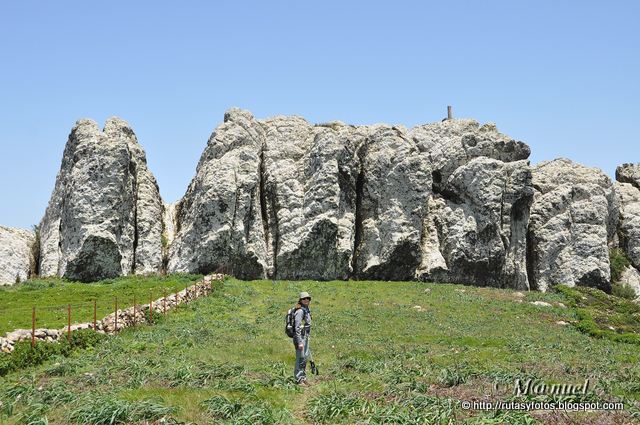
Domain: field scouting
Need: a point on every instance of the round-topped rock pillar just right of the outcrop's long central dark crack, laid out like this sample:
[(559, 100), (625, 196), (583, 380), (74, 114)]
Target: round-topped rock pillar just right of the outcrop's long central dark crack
[(392, 192)]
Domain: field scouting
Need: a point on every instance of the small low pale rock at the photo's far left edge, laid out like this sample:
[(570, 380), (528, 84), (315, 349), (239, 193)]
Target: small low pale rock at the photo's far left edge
[(16, 255)]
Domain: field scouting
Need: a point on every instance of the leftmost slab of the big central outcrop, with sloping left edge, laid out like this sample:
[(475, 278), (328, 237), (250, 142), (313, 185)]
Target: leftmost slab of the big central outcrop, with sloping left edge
[(219, 220)]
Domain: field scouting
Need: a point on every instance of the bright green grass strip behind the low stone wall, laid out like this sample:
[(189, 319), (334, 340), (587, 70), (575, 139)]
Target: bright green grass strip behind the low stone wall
[(51, 296)]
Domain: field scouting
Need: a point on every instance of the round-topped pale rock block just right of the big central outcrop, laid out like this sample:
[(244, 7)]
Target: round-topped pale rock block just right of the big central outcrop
[(573, 219)]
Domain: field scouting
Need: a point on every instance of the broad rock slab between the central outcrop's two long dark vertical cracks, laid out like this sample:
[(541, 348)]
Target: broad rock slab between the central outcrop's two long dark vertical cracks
[(309, 178)]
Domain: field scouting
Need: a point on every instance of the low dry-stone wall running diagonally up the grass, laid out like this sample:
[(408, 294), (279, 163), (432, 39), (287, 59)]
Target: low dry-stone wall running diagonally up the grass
[(126, 317)]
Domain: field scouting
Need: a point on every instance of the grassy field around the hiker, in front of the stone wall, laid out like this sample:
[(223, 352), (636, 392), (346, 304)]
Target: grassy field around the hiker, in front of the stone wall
[(388, 352)]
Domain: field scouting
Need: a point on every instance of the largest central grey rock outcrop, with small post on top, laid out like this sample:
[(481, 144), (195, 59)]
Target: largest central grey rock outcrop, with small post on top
[(284, 199)]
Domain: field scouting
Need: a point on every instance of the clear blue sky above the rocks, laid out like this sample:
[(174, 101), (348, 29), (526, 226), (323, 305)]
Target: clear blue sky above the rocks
[(562, 76)]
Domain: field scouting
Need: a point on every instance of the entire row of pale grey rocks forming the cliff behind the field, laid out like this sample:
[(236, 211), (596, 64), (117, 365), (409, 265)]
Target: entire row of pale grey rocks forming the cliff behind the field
[(285, 199)]
